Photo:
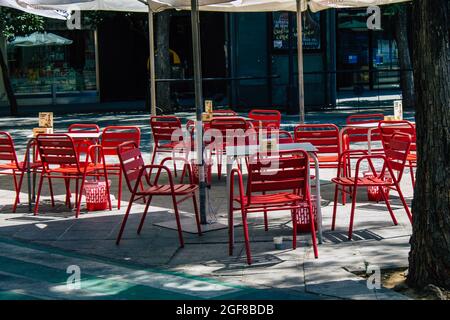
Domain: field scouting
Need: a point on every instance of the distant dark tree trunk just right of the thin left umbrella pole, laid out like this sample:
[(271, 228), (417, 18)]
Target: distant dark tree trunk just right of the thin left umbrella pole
[(162, 60)]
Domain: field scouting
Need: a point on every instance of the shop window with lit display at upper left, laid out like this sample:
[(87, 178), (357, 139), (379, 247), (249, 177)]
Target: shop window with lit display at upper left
[(45, 68)]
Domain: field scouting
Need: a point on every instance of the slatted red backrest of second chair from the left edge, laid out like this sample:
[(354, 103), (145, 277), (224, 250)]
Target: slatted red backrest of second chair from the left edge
[(57, 149)]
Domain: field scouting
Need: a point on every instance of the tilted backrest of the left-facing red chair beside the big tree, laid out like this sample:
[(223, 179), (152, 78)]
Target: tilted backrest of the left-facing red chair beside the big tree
[(396, 152)]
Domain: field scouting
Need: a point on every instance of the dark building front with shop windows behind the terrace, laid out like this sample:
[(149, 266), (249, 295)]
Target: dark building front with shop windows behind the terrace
[(249, 60)]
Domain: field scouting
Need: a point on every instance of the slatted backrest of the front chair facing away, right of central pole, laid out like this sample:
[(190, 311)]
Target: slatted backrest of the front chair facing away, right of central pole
[(286, 171)]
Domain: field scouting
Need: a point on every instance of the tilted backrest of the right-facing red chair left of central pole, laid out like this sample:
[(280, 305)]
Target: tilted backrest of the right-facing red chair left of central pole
[(131, 161)]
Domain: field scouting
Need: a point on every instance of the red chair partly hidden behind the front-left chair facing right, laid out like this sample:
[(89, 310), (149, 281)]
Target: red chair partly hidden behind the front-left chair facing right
[(112, 137)]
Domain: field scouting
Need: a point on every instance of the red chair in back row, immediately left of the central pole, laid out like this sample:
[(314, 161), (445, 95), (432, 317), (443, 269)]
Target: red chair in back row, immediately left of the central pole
[(164, 130)]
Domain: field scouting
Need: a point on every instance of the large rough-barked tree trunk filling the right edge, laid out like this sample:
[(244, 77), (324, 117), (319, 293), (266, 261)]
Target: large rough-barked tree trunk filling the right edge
[(429, 258)]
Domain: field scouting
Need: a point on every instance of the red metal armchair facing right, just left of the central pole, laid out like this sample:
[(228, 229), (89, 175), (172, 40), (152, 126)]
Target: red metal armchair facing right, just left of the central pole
[(141, 186)]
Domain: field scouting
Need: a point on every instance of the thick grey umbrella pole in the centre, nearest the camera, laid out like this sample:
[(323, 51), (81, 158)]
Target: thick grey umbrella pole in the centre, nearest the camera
[(195, 21)]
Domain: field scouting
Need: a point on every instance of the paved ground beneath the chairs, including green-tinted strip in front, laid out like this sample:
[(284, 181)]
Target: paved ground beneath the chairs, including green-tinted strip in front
[(35, 251)]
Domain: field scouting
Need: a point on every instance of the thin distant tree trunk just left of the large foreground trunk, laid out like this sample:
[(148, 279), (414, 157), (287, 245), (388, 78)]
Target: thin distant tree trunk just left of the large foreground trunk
[(401, 36)]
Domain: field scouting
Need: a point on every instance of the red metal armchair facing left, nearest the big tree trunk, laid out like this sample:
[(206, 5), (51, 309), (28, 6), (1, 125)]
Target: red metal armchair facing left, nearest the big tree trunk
[(393, 161)]
